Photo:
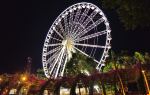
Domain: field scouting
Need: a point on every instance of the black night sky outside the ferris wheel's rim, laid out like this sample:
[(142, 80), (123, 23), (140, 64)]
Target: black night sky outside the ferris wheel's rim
[(25, 23)]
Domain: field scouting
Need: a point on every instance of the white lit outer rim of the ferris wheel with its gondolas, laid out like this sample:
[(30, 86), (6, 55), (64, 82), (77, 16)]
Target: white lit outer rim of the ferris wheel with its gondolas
[(50, 32)]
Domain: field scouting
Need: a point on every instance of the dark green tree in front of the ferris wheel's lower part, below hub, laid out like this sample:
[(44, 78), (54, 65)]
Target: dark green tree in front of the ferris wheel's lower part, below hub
[(78, 64)]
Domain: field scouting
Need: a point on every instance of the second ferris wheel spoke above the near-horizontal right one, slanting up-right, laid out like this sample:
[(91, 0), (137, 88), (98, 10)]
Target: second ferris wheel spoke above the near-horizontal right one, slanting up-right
[(99, 21)]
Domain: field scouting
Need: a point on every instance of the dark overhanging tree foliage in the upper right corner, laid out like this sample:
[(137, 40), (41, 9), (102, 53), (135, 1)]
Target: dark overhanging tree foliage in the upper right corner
[(132, 13)]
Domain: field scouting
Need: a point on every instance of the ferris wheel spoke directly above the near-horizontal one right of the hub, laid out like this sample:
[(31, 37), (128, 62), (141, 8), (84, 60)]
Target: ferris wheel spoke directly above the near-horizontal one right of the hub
[(91, 36)]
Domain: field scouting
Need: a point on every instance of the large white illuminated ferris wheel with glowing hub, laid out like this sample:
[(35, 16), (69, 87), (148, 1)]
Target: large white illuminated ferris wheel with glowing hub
[(82, 27)]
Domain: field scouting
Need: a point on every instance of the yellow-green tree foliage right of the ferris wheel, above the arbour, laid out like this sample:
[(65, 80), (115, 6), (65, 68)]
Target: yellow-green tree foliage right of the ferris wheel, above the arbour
[(125, 60)]
